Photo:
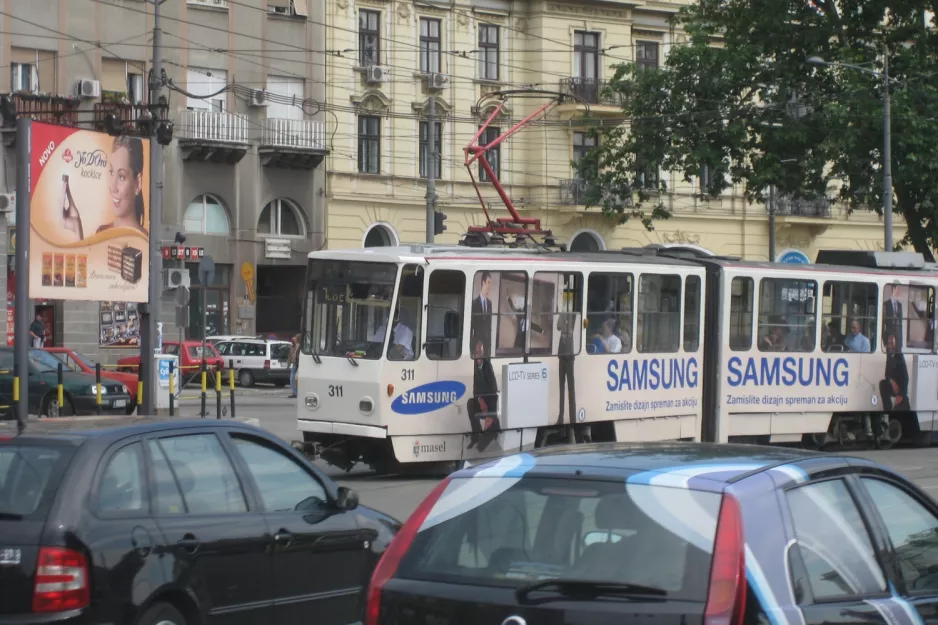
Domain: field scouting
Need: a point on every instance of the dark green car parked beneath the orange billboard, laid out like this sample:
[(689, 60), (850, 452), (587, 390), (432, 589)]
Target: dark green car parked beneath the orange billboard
[(79, 389)]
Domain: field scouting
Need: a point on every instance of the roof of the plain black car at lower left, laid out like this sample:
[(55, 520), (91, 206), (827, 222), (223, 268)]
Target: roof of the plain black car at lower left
[(80, 429)]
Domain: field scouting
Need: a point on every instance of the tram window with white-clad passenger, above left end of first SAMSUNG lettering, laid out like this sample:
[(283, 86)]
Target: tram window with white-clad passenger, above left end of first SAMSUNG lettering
[(609, 312)]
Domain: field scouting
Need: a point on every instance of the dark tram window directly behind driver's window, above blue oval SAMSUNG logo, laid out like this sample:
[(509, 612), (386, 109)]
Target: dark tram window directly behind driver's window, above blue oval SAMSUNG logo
[(445, 304)]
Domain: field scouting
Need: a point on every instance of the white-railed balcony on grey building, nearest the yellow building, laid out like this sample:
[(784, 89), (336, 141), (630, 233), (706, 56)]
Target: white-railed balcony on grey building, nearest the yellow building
[(295, 143)]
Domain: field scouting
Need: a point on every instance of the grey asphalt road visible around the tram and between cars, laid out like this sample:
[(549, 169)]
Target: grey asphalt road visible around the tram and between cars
[(398, 496)]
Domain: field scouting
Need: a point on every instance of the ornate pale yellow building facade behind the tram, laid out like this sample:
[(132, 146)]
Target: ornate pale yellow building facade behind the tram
[(381, 59)]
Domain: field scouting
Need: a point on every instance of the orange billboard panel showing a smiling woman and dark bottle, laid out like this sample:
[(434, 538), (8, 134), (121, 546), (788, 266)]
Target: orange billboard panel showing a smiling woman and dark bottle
[(89, 212)]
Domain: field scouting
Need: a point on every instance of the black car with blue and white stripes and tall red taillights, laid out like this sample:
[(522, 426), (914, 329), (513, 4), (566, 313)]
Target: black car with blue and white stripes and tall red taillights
[(665, 533)]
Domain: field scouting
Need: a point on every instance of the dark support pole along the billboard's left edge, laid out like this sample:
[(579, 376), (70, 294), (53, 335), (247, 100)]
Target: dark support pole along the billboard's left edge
[(21, 299)]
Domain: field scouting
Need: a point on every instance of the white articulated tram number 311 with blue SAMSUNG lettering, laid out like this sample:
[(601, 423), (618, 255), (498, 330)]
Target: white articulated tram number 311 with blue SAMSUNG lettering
[(432, 353)]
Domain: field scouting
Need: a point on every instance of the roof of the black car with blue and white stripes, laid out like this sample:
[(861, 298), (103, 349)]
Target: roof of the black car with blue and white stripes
[(721, 463)]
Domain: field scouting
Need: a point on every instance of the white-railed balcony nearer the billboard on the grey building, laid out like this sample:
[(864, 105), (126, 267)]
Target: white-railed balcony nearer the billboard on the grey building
[(215, 136)]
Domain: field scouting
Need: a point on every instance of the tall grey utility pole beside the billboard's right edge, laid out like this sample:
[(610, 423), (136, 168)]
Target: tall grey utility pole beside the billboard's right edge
[(148, 339)]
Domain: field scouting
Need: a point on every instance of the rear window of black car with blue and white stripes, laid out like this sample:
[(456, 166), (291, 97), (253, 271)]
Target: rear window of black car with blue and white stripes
[(504, 531)]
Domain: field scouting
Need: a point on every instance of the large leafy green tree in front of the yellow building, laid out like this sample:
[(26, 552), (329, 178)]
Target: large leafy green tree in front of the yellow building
[(738, 103)]
